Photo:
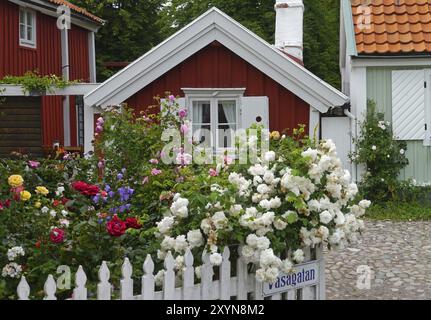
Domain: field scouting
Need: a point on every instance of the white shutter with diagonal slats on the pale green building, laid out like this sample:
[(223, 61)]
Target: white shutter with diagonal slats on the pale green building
[(408, 104)]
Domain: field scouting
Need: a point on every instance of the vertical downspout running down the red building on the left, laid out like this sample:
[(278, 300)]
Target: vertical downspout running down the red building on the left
[(65, 73)]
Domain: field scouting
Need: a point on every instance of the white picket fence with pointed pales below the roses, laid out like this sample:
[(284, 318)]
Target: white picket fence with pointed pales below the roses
[(242, 286)]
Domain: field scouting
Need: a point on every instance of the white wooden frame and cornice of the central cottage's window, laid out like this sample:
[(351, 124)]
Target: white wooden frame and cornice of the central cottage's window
[(214, 95)]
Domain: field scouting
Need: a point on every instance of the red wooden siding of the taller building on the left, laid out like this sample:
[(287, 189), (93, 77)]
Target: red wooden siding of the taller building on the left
[(46, 58)]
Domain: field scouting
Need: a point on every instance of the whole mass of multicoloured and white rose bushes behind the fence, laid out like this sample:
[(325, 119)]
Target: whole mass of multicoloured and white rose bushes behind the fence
[(125, 201)]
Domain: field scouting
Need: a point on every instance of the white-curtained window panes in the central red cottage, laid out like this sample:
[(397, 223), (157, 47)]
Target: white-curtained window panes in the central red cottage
[(215, 121)]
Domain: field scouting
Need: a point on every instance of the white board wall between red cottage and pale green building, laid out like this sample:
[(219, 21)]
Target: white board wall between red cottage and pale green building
[(338, 130)]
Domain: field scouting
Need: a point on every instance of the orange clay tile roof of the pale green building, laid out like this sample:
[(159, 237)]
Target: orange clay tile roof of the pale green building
[(396, 26)]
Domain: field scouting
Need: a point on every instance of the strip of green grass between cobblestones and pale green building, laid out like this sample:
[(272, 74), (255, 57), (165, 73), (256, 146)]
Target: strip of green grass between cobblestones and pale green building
[(399, 211)]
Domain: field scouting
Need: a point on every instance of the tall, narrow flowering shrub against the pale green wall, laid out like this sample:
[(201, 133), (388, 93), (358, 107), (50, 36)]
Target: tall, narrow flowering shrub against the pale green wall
[(382, 156)]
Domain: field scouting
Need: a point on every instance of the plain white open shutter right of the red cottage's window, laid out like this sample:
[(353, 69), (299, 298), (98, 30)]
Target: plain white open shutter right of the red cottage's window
[(253, 110)]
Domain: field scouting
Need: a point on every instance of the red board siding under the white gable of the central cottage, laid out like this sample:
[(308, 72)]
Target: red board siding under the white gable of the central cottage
[(217, 67)]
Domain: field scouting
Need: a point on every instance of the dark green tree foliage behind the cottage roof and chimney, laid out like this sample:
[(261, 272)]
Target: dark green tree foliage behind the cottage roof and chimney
[(135, 26)]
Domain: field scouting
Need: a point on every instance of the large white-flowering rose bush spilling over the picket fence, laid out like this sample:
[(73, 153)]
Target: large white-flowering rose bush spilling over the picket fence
[(279, 204)]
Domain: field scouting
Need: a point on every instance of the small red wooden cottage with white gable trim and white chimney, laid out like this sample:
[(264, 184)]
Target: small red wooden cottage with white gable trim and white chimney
[(226, 76)]
